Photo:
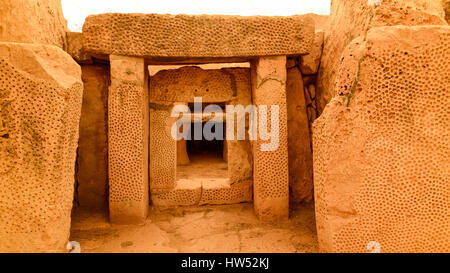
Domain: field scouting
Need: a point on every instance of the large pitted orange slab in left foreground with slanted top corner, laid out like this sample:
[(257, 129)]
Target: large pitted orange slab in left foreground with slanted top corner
[(40, 104)]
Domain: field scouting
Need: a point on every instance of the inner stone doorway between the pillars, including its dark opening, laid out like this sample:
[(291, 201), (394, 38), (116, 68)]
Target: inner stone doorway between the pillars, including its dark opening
[(198, 169)]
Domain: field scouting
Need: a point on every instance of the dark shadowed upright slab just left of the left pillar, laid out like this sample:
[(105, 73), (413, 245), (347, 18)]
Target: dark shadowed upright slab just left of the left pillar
[(92, 175)]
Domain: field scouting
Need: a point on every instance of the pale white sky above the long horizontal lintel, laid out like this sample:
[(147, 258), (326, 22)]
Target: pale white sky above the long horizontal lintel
[(76, 11)]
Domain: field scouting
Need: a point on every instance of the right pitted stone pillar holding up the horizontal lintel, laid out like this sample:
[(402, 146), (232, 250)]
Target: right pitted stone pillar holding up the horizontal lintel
[(271, 176)]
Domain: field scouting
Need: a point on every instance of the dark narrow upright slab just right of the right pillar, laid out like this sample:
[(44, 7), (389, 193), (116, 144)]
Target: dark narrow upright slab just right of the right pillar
[(299, 139)]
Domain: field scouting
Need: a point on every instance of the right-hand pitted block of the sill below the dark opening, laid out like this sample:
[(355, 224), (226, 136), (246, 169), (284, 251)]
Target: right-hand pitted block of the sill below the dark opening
[(224, 193)]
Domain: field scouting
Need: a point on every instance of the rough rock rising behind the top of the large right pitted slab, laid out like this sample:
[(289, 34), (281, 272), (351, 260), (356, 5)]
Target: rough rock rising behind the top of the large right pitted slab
[(352, 18)]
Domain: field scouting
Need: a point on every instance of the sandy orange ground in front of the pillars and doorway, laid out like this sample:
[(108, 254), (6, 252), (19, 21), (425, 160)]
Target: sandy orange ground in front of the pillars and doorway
[(204, 229)]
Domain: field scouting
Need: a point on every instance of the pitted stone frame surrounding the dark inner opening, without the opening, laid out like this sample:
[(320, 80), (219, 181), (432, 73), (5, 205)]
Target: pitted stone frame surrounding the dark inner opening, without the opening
[(168, 88)]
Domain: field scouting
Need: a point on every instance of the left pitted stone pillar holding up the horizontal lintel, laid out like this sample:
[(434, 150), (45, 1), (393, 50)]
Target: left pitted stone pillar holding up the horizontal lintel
[(128, 135)]
